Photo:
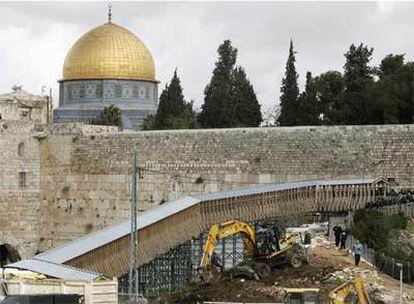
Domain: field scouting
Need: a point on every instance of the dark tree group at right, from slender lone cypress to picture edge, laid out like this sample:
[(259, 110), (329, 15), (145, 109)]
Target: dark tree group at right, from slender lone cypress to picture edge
[(362, 94)]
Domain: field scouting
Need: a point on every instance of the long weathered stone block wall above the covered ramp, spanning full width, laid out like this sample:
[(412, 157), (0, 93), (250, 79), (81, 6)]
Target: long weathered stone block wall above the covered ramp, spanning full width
[(81, 174)]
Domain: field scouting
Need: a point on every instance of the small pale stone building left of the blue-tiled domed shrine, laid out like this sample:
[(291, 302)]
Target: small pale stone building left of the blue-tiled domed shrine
[(24, 106)]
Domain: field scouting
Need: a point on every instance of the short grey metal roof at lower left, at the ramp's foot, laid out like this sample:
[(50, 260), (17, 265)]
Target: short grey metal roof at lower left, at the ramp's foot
[(55, 270)]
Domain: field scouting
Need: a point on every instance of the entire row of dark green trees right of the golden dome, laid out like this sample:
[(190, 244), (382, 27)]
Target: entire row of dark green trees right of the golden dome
[(360, 94)]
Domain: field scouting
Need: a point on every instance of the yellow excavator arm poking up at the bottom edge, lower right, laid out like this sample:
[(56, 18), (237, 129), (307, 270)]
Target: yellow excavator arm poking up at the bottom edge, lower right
[(339, 294)]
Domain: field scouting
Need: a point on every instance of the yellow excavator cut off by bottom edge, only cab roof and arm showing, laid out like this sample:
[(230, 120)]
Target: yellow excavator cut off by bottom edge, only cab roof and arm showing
[(339, 295)]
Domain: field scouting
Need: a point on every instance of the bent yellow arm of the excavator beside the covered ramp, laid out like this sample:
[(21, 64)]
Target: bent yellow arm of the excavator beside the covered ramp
[(224, 230)]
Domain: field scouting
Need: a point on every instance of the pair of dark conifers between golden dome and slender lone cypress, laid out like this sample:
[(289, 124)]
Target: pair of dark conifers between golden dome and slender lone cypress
[(229, 99)]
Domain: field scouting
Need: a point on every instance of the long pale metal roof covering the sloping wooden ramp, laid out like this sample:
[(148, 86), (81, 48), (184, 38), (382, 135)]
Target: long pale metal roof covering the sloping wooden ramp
[(99, 238)]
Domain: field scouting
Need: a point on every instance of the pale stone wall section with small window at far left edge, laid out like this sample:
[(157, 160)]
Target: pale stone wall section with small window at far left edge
[(19, 187)]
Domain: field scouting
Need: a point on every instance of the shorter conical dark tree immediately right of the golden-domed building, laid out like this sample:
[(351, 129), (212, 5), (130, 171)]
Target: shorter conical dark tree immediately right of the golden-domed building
[(173, 111)]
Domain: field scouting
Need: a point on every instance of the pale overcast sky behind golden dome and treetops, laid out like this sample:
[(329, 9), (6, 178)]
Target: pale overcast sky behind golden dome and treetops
[(35, 37)]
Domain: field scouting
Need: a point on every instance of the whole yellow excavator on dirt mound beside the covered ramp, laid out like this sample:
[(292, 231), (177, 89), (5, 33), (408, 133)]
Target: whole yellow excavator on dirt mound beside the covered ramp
[(263, 250)]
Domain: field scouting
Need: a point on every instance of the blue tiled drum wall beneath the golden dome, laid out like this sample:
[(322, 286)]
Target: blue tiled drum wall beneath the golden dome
[(82, 100)]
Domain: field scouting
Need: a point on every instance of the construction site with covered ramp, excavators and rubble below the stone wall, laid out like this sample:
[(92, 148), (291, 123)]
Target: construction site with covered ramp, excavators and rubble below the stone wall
[(238, 246)]
